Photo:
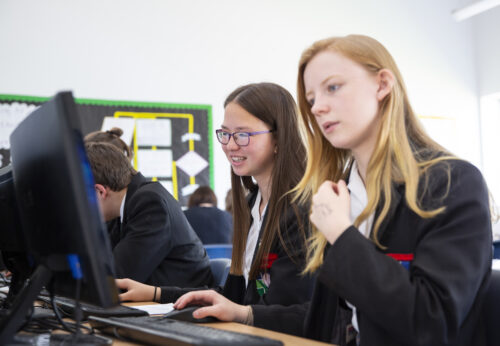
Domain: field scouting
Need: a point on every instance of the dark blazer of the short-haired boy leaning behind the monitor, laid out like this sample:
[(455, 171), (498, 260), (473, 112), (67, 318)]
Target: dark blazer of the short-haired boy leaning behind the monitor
[(155, 243)]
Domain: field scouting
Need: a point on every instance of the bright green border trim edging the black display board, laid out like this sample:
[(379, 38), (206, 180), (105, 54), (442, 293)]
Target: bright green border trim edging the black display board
[(115, 103)]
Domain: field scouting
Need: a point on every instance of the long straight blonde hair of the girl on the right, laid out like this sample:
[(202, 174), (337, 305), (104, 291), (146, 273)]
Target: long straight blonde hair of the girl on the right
[(402, 154)]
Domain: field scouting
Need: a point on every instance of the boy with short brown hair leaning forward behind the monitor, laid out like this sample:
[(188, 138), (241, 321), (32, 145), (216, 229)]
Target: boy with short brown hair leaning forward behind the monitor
[(153, 243)]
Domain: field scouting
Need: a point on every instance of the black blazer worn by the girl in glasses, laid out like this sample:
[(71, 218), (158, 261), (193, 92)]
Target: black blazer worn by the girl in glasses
[(287, 286)]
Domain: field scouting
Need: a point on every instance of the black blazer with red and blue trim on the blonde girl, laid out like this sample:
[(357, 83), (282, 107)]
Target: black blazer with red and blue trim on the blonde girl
[(436, 301)]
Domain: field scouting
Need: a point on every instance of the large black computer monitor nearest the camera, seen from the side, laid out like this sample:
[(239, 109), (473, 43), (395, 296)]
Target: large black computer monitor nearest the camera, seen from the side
[(58, 207)]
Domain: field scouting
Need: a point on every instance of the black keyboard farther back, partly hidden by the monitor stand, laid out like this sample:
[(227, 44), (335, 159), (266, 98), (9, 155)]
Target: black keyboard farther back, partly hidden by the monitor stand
[(67, 305)]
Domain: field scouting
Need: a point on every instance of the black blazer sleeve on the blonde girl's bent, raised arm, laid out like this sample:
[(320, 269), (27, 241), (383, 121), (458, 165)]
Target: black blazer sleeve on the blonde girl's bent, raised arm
[(428, 303)]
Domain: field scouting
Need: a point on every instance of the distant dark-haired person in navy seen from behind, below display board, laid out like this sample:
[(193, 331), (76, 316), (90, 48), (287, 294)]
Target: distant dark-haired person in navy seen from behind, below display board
[(212, 225)]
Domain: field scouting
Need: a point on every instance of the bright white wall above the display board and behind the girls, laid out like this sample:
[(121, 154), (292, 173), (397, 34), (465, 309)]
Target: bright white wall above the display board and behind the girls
[(196, 51)]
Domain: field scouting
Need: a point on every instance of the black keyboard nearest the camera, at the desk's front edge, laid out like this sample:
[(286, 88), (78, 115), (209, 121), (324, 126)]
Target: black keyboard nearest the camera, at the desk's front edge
[(165, 331)]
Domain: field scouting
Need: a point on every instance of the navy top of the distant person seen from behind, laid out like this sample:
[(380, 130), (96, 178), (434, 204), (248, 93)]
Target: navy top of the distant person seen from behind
[(212, 225)]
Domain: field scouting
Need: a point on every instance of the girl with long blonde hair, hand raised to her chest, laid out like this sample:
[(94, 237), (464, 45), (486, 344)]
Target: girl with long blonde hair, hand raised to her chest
[(402, 240)]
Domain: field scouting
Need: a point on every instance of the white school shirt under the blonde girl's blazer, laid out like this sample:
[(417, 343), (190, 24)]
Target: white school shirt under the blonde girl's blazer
[(359, 200)]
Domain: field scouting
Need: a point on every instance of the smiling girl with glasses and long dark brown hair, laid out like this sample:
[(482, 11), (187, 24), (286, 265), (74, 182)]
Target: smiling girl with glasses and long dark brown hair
[(261, 140)]
